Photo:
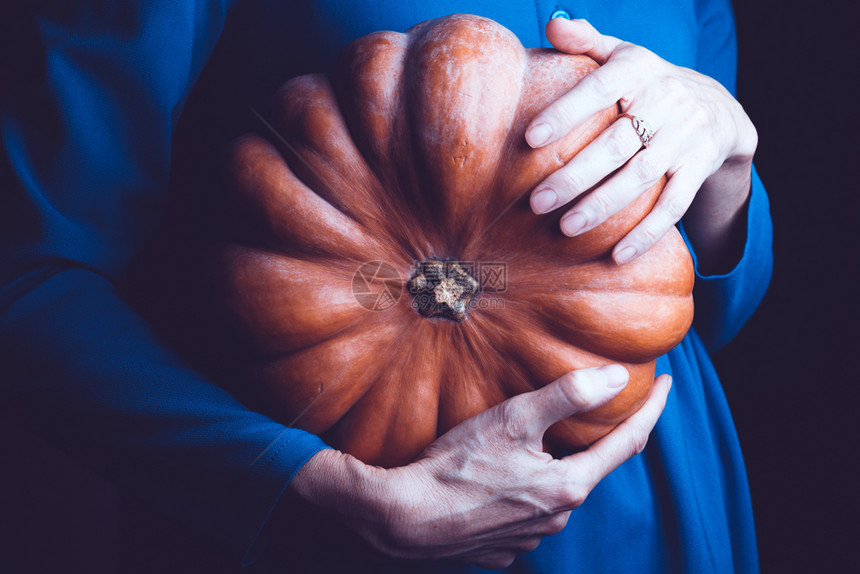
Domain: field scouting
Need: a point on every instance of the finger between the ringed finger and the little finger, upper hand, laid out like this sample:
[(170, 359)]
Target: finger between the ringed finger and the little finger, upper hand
[(637, 176)]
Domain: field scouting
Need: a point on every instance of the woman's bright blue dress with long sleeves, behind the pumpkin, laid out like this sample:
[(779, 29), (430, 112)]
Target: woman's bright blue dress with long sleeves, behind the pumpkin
[(87, 122)]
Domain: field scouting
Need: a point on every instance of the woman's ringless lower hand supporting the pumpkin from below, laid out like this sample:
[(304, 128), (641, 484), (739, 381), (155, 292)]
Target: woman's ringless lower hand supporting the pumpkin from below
[(484, 491)]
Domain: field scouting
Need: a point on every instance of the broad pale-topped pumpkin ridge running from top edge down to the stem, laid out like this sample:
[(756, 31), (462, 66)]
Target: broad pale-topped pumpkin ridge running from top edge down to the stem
[(458, 146)]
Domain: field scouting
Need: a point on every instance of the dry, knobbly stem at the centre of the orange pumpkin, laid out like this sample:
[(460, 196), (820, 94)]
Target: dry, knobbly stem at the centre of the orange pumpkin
[(442, 289)]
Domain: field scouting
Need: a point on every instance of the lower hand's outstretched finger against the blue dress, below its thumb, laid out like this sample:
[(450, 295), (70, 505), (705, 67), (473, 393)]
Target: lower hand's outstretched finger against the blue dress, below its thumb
[(626, 440)]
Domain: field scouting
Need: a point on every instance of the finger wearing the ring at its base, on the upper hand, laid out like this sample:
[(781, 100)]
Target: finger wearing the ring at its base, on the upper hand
[(609, 151)]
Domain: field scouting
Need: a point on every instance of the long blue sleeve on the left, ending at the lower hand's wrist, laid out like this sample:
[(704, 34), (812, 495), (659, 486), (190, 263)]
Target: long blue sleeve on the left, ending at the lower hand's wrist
[(86, 131)]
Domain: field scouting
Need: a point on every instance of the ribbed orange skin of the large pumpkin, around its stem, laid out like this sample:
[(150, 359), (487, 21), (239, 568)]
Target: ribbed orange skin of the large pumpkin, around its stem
[(414, 149)]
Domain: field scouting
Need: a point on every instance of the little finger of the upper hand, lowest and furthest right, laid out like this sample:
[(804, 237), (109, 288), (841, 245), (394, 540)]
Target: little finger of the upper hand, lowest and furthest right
[(671, 206)]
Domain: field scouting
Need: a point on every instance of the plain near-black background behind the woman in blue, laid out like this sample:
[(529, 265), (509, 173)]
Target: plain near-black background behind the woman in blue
[(788, 377)]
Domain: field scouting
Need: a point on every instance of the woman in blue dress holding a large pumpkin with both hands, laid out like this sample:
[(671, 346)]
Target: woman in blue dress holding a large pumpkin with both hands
[(87, 132)]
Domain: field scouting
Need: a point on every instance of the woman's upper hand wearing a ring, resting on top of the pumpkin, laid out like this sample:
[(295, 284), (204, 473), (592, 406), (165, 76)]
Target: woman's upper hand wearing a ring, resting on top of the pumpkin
[(702, 141)]
